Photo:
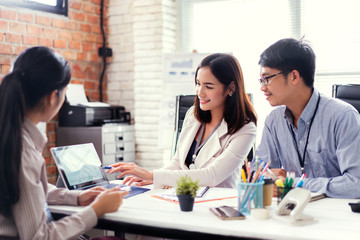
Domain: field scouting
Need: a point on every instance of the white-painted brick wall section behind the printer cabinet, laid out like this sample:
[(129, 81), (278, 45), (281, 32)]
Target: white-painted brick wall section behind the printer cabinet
[(140, 32)]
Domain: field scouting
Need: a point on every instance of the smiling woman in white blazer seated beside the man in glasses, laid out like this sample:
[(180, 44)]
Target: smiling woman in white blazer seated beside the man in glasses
[(217, 134)]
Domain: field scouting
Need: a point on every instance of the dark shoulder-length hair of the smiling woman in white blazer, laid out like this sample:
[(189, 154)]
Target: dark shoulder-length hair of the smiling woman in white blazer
[(238, 108)]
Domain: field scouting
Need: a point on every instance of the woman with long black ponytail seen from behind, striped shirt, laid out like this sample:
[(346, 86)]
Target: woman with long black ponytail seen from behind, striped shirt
[(31, 93)]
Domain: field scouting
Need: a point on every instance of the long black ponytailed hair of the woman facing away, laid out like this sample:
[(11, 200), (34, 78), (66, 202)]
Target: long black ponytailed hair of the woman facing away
[(37, 72)]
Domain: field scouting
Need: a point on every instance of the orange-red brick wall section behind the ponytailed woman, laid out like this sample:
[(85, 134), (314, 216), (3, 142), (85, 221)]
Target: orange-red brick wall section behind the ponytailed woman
[(76, 37)]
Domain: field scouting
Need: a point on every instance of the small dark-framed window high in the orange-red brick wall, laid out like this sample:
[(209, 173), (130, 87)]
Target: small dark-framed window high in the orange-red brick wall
[(53, 6)]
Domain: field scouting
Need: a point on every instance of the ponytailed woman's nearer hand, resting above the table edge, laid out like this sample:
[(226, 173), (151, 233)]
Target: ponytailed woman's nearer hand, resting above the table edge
[(108, 201)]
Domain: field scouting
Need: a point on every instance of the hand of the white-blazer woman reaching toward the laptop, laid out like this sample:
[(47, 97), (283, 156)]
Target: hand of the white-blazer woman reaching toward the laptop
[(131, 169)]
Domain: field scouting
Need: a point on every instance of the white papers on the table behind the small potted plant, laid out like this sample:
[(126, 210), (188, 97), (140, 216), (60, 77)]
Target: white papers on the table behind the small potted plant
[(204, 194)]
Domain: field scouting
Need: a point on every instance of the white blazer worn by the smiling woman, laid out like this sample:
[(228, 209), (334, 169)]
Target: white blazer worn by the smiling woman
[(218, 161)]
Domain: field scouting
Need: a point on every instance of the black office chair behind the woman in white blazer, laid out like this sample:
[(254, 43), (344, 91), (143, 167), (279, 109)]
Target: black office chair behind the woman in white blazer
[(183, 103)]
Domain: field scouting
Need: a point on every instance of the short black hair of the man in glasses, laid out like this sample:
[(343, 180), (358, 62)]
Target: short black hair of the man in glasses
[(290, 54)]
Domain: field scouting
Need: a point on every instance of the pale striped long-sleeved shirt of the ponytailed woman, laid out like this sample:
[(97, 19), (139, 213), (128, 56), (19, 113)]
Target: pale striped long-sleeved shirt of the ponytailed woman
[(30, 216)]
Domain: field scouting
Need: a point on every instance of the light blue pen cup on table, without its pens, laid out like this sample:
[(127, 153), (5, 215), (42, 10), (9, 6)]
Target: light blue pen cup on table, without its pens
[(250, 195)]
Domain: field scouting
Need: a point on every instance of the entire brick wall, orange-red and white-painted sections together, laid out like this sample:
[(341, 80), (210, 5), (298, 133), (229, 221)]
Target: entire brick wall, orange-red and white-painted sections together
[(139, 33)]
